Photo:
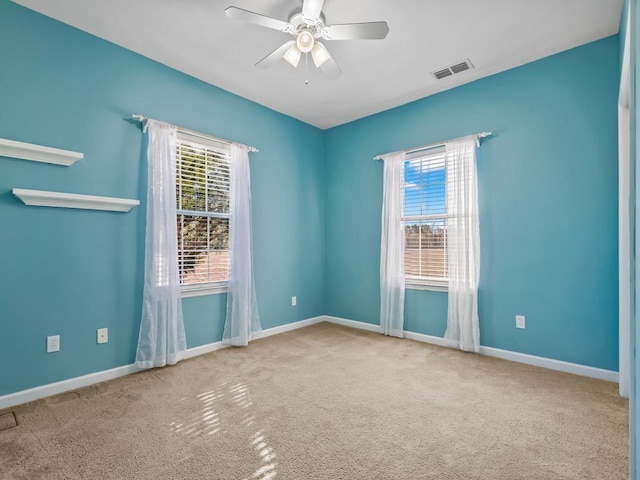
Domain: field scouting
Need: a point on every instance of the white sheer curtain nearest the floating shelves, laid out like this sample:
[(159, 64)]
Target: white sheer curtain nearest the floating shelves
[(162, 339)]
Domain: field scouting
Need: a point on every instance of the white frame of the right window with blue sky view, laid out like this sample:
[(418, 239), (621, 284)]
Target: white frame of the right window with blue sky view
[(415, 282)]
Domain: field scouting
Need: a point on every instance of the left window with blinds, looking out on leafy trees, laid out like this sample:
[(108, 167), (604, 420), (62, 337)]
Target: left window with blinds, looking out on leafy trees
[(202, 207)]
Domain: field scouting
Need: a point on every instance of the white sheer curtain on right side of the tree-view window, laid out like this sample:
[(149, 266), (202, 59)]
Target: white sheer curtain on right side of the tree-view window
[(242, 312)]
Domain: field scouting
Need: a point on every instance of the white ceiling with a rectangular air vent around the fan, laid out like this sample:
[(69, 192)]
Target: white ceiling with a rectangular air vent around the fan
[(195, 37)]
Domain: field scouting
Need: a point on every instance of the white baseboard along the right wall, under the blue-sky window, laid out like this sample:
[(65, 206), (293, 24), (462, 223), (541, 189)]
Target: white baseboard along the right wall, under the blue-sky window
[(575, 368)]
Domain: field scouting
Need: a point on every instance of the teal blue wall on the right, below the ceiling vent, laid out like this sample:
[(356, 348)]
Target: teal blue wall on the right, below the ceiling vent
[(548, 205)]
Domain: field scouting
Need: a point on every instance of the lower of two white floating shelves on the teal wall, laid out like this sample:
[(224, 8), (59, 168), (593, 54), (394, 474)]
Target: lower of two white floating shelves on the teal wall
[(73, 200)]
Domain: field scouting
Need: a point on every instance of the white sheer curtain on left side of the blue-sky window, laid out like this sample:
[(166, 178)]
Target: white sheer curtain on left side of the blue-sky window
[(392, 247)]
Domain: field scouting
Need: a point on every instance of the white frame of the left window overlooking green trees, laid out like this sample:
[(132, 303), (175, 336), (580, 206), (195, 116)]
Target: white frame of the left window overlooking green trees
[(200, 140)]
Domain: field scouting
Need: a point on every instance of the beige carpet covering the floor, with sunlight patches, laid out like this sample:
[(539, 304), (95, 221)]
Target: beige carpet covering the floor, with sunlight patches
[(326, 402)]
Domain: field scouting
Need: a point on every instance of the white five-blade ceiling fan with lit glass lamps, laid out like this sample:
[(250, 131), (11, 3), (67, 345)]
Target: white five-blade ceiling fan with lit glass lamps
[(308, 25)]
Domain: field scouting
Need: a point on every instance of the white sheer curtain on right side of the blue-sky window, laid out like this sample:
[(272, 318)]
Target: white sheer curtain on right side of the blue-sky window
[(463, 243)]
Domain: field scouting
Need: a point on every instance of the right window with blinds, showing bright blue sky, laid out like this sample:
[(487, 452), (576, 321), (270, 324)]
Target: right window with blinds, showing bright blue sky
[(425, 219)]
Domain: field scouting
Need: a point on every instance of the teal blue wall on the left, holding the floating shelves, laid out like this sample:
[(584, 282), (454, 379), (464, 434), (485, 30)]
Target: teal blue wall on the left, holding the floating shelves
[(69, 272)]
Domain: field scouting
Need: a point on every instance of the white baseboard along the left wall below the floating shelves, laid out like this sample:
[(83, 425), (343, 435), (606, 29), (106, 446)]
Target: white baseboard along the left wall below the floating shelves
[(36, 393)]
